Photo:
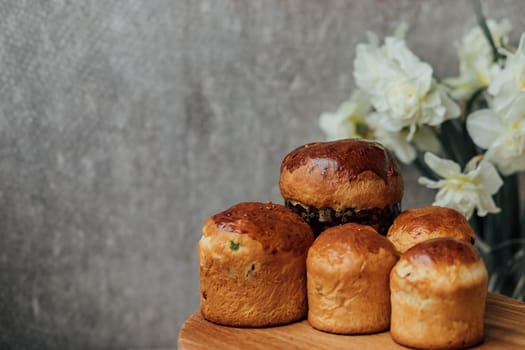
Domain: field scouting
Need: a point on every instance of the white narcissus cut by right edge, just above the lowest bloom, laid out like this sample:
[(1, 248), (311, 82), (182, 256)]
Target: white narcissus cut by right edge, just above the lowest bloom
[(502, 134)]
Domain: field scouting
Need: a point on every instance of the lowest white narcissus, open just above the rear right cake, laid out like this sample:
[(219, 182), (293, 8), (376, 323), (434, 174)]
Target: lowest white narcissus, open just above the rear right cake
[(464, 191)]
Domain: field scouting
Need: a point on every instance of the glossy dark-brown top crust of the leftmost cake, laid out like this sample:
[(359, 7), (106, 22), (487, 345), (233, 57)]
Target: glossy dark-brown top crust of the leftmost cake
[(276, 227)]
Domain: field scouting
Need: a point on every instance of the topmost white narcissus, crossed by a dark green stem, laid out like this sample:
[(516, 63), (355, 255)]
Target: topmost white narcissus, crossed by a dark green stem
[(475, 59)]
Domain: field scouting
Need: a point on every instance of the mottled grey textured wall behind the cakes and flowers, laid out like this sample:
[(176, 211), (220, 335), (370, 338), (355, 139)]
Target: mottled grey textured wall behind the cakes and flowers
[(125, 124)]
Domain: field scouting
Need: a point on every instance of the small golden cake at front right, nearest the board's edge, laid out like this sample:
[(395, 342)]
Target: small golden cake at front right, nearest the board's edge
[(438, 293)]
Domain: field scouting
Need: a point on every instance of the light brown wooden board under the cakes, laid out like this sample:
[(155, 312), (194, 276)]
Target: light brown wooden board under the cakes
[(504, 329)]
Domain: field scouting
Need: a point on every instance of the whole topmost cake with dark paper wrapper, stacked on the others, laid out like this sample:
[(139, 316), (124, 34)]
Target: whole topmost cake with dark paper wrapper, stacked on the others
[(352, 180)]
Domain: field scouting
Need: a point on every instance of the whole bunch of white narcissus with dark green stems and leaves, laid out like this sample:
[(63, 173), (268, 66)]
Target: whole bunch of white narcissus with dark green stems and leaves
[(466, 134)]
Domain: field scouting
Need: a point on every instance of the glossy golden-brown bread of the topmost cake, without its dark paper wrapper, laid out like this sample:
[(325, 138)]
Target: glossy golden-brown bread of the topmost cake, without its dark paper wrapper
[(350, 173)]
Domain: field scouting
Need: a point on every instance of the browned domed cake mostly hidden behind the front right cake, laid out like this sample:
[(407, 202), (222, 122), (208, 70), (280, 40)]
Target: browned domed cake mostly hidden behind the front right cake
[(416, 225)]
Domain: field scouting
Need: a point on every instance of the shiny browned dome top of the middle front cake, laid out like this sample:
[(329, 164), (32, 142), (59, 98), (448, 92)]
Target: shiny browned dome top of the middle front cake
[(355, 241)]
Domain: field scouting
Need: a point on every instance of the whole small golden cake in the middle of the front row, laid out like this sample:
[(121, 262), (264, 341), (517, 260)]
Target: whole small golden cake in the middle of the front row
[(348, 269)]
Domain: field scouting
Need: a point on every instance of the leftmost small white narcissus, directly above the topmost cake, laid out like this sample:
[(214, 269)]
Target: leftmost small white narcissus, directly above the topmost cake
[(349, 119)]
